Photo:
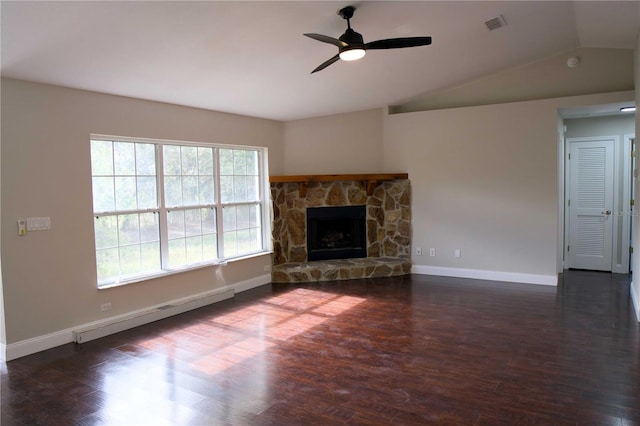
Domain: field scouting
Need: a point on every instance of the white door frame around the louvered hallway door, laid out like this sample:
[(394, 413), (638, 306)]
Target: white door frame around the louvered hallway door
[(621, 203)]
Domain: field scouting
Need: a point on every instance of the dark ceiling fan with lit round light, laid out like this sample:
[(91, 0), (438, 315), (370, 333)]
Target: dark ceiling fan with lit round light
[(351, 45)]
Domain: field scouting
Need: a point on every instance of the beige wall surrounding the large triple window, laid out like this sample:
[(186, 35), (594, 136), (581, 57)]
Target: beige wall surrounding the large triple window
[(49, 278)]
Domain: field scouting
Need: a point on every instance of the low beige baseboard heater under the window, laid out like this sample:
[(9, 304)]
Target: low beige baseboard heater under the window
[(120, 323)]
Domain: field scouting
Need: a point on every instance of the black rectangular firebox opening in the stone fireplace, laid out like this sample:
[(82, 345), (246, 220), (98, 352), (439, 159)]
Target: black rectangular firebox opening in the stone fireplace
[(336, 232)]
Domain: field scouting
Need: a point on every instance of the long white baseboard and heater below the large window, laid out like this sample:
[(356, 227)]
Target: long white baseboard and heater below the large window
[(119, 323)]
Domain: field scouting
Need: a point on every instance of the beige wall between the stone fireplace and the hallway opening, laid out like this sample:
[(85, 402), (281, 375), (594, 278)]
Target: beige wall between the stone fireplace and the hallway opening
[(484, 180)]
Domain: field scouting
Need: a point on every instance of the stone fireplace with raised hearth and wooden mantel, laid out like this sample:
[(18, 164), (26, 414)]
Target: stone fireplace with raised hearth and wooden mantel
[(383, 199)]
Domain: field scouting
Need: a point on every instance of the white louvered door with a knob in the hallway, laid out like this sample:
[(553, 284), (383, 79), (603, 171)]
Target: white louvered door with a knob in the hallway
[(591, 204)]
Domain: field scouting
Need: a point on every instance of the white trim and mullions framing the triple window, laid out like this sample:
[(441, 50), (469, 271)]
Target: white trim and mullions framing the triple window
[(264, 203)]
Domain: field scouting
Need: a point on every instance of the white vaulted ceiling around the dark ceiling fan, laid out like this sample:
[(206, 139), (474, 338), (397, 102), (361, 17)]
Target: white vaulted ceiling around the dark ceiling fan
[(251, 58)]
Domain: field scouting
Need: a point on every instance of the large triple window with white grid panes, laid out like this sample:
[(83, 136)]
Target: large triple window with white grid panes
[(165, 206)]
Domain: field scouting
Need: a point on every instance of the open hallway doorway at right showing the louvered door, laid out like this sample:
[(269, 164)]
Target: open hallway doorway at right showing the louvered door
[(596, 191)]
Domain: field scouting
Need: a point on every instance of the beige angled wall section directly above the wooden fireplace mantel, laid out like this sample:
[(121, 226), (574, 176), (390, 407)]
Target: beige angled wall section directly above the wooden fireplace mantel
[(344, 143)]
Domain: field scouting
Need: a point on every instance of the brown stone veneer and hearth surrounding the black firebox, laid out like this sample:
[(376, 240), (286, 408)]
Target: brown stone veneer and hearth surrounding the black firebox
[(388, 229)]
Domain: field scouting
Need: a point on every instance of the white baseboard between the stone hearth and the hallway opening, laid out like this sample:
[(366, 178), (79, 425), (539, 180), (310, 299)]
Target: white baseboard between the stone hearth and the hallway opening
[(480, 274)]
